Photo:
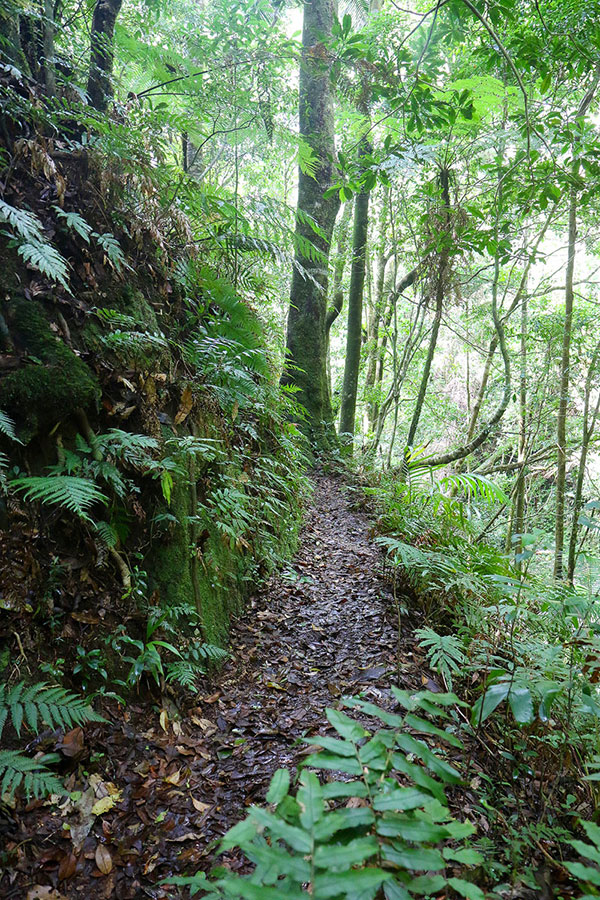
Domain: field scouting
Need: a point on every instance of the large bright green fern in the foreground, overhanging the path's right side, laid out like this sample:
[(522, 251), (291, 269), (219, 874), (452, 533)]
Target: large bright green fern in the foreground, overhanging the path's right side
[(381, 827)]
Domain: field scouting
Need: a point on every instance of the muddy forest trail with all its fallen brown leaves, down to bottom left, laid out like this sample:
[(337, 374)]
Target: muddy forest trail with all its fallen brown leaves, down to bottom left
[(322, 628)]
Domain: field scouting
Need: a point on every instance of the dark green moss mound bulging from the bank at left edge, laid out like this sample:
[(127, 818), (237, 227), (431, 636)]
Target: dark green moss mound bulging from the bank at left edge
[(52, 382)]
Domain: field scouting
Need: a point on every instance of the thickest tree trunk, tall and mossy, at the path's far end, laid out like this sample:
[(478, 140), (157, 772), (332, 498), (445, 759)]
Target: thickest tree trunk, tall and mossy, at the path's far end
[(306, 330)]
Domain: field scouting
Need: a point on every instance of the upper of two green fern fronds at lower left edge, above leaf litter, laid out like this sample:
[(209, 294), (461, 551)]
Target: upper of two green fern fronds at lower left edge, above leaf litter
[(40, 702)]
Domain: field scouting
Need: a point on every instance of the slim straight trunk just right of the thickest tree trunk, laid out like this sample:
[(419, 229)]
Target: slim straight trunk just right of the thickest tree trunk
[(355, 305)]
